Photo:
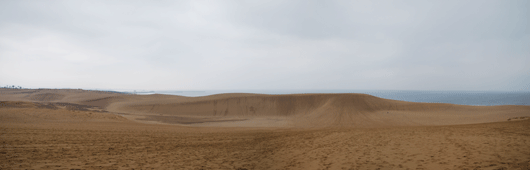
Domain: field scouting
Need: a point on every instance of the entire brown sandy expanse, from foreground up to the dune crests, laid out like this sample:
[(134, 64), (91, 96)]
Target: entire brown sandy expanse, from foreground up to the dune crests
[(78, 129)]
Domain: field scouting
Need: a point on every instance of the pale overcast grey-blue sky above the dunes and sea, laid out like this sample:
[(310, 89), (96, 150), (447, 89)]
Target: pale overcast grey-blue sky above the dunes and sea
[(448, 45)]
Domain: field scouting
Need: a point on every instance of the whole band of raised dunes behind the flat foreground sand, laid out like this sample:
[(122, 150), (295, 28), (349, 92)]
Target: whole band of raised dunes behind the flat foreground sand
[(258, 110)]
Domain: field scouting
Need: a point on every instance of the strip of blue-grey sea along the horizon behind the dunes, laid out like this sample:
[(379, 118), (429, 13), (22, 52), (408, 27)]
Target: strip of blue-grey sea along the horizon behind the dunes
[(476, 98)]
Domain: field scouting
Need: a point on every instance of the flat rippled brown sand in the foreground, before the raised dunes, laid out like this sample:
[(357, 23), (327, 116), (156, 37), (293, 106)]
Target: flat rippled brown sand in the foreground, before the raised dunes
[(48, 136)]
